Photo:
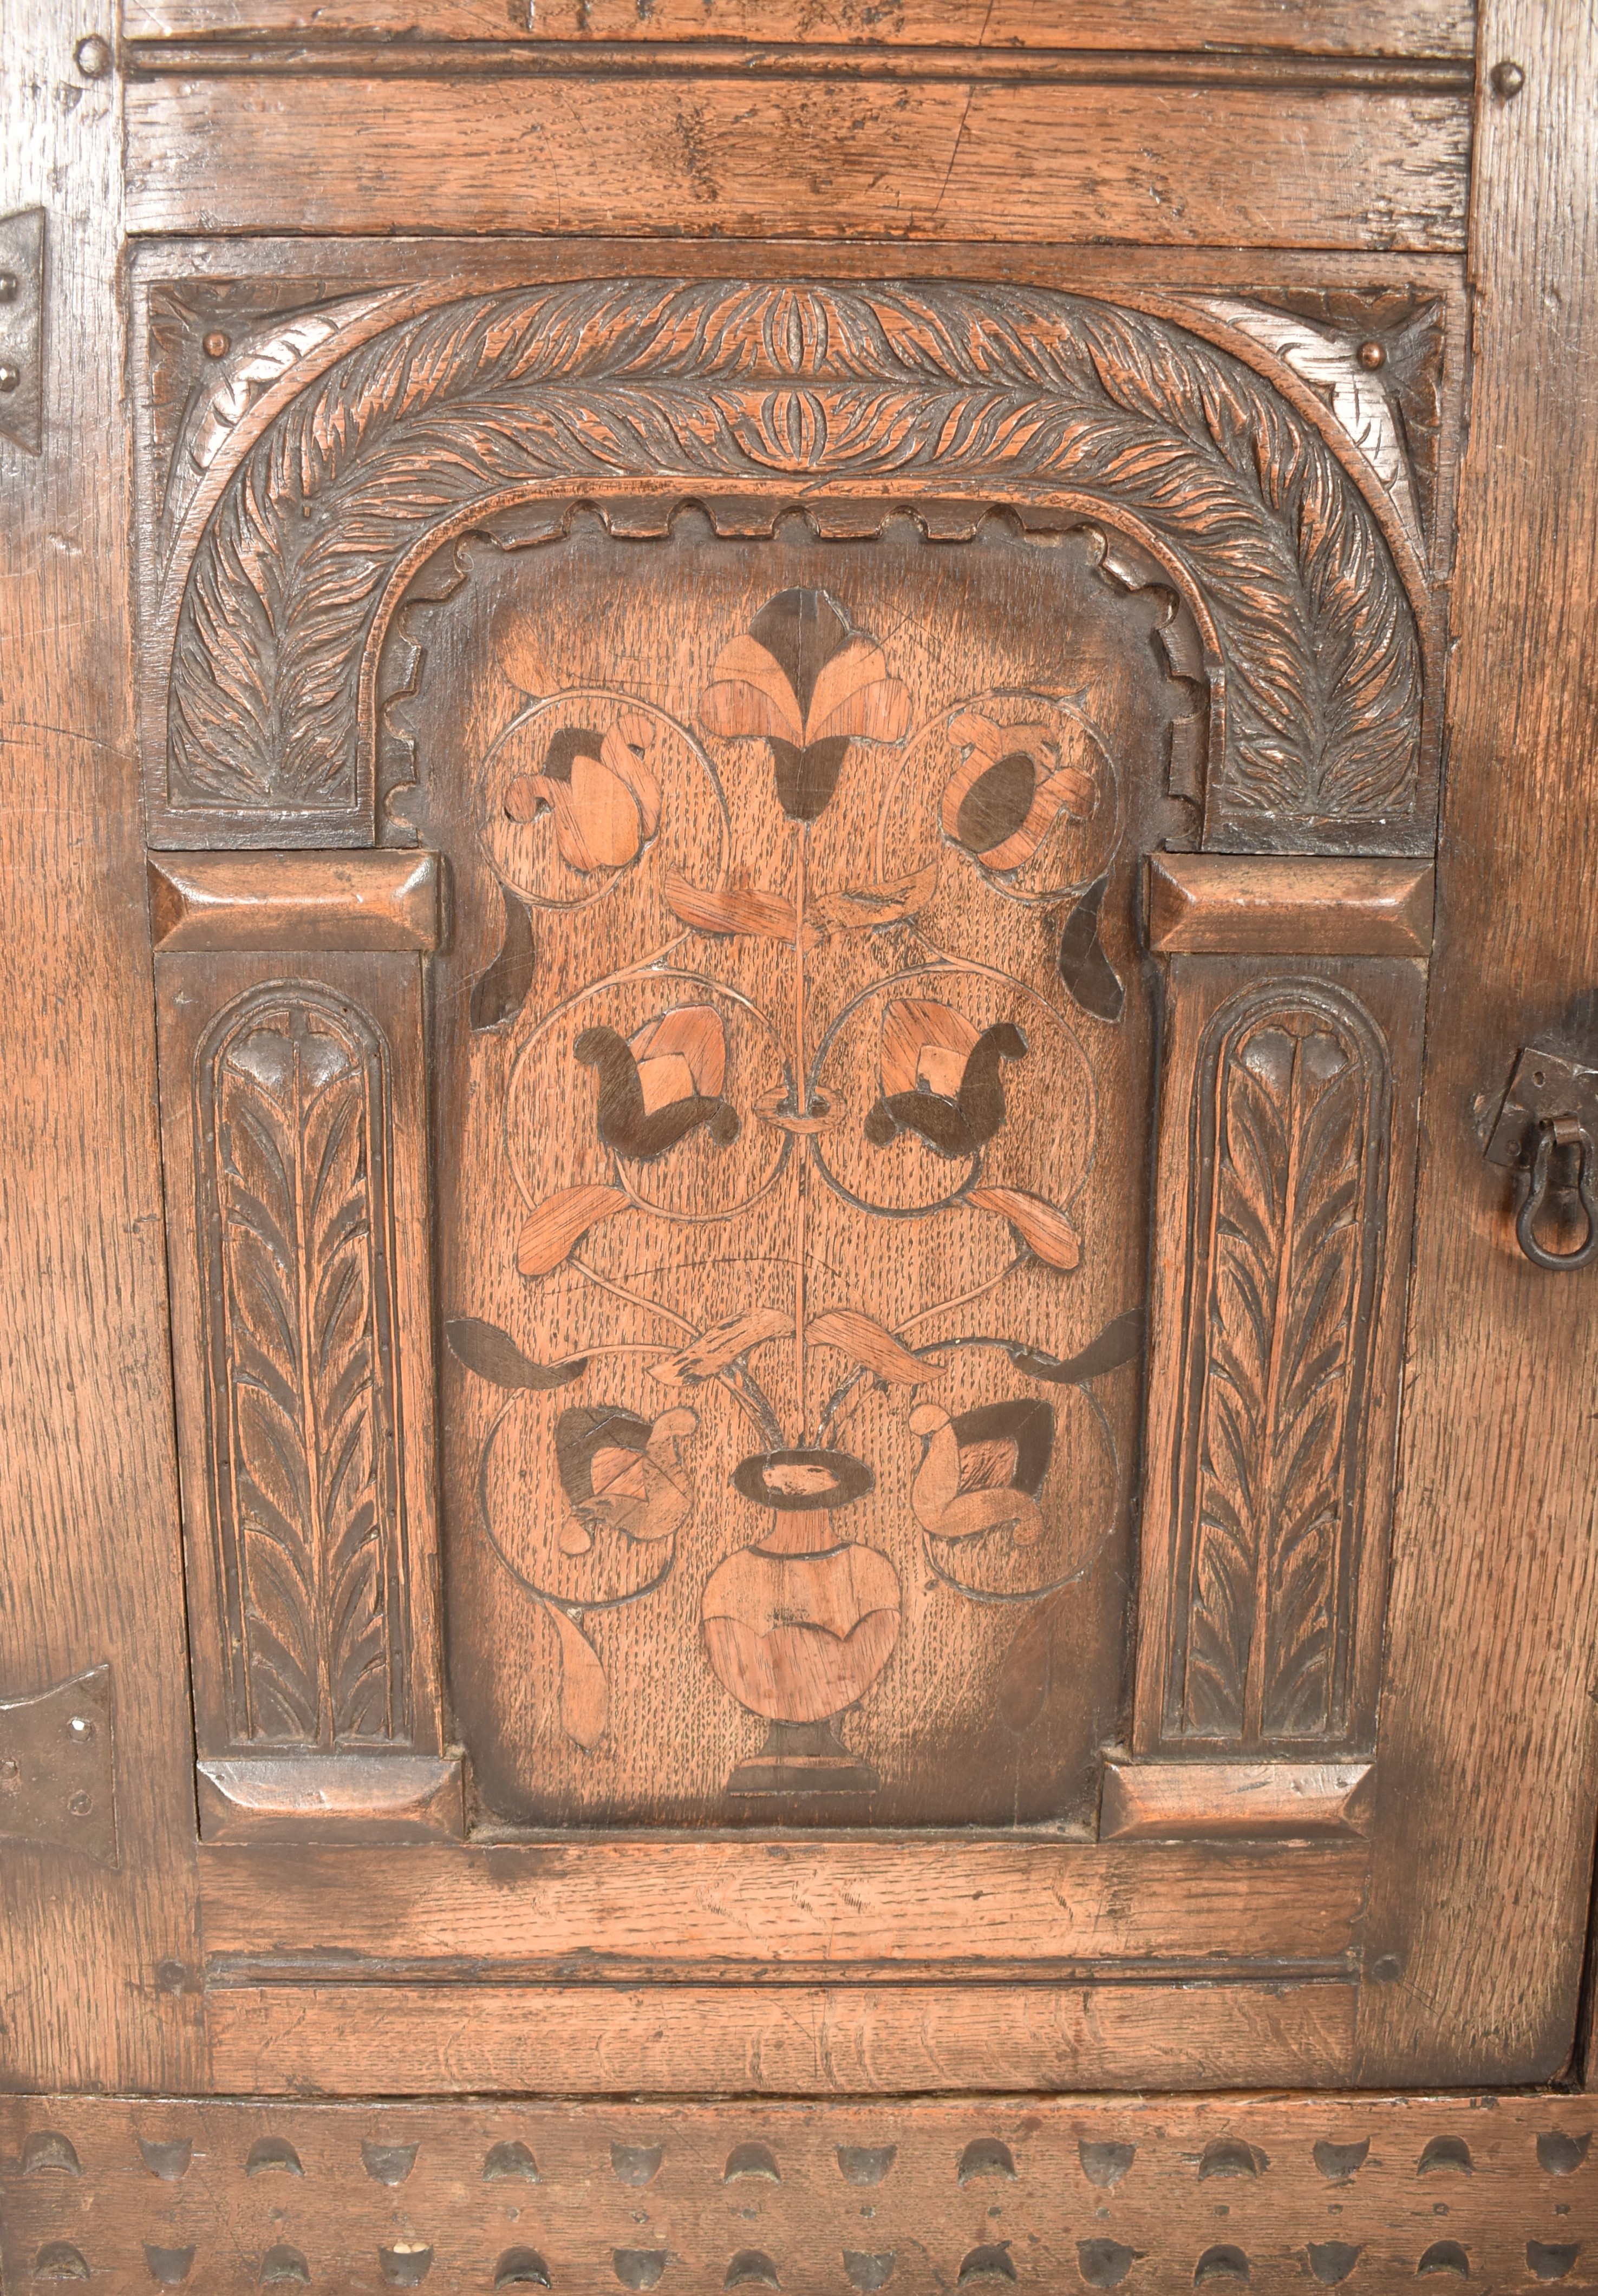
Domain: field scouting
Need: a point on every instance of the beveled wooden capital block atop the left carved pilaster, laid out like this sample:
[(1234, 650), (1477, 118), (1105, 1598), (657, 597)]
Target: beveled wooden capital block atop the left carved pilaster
[(297, 901)]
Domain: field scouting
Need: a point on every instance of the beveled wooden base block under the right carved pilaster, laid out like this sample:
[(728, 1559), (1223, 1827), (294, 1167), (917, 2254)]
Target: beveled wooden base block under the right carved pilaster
[(1165, 1801)]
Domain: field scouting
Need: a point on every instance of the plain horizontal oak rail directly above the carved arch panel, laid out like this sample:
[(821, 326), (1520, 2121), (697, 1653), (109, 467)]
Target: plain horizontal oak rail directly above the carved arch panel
[(690, 160)]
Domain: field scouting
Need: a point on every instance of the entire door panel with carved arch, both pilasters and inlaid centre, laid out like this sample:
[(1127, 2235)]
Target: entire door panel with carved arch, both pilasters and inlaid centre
[(784, 685)]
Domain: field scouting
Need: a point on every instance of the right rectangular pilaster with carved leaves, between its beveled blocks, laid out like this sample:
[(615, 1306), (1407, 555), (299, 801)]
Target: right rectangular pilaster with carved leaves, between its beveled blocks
[(1287, 1149)]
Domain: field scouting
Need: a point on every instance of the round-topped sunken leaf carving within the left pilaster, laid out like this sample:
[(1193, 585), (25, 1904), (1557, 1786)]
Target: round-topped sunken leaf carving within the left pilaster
[(293, 1112)]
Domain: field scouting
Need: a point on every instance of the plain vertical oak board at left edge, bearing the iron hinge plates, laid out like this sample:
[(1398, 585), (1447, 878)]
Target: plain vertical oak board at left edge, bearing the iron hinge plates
[(93, 1962)]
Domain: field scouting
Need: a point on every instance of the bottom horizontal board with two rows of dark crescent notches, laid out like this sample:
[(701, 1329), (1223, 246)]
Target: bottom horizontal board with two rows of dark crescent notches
[(1050, 2194)]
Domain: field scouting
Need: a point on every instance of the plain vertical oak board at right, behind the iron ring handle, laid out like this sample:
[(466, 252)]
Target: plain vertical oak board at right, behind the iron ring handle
[(1489, 1748)]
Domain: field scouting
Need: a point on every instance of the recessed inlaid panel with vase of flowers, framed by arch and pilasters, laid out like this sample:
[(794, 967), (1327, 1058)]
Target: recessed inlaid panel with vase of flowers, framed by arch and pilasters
[(793, 1142)]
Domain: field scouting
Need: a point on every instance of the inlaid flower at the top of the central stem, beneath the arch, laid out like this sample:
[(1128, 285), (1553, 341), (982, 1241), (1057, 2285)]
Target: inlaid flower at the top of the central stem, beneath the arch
[(812, 685)]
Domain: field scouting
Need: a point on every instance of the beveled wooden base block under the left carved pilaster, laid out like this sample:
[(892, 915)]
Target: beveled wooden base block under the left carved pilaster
[(350, 1797)]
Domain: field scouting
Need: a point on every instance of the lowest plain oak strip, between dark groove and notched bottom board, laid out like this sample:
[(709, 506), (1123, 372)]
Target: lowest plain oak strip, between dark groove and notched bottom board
[(777, 2042)]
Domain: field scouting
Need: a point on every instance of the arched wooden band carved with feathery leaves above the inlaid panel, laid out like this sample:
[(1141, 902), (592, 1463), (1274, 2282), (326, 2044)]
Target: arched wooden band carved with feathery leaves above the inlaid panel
[(734, 385)]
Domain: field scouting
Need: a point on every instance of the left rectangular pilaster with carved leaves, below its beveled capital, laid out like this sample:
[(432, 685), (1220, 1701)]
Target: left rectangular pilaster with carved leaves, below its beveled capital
[(300, 1266)]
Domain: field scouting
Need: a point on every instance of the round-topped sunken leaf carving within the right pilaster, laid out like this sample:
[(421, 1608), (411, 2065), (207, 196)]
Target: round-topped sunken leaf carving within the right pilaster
[(1287, 1239)]
